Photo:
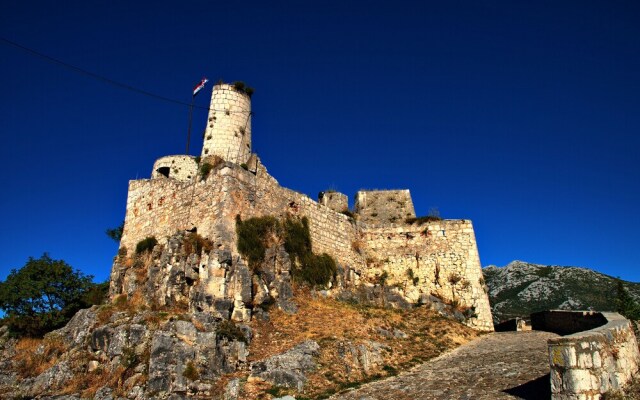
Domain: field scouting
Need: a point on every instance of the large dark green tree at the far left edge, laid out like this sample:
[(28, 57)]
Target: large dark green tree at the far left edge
[(44, 294)]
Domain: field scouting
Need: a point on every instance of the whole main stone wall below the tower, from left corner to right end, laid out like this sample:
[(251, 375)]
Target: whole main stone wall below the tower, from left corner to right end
[(442, 255)]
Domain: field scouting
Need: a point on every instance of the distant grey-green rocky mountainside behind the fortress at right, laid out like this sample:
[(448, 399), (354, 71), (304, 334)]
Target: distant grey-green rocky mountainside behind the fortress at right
[(521, 288)]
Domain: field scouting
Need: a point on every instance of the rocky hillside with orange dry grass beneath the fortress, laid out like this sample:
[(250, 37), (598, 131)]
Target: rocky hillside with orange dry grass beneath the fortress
[(162, 336)]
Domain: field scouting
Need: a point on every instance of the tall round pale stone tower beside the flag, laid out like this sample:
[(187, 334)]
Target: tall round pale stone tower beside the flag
[(228, 131)]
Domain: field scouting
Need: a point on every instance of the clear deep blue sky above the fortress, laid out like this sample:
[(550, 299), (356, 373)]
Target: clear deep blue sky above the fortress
[(521, 116)]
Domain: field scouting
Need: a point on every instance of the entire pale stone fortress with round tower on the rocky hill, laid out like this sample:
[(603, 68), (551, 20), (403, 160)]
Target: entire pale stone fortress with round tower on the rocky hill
[(419, 258)]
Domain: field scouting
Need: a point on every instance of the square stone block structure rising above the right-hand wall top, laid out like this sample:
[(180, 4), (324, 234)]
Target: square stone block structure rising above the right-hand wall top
[(384, 206)]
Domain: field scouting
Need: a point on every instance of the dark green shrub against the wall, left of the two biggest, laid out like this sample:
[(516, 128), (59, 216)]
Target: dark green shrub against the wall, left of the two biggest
[(252, 237)]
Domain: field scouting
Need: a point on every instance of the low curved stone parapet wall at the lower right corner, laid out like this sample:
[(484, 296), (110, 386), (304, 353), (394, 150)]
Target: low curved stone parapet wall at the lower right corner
[(587, 364)]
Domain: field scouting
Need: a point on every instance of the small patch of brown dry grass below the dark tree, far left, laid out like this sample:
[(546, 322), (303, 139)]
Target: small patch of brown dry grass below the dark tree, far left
[(34, 356)]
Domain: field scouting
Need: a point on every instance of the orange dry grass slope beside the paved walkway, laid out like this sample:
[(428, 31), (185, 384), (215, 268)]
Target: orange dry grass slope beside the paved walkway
[(331, 323)]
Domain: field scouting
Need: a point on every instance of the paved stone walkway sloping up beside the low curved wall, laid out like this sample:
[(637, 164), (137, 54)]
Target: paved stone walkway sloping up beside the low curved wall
[(508, 365)]
